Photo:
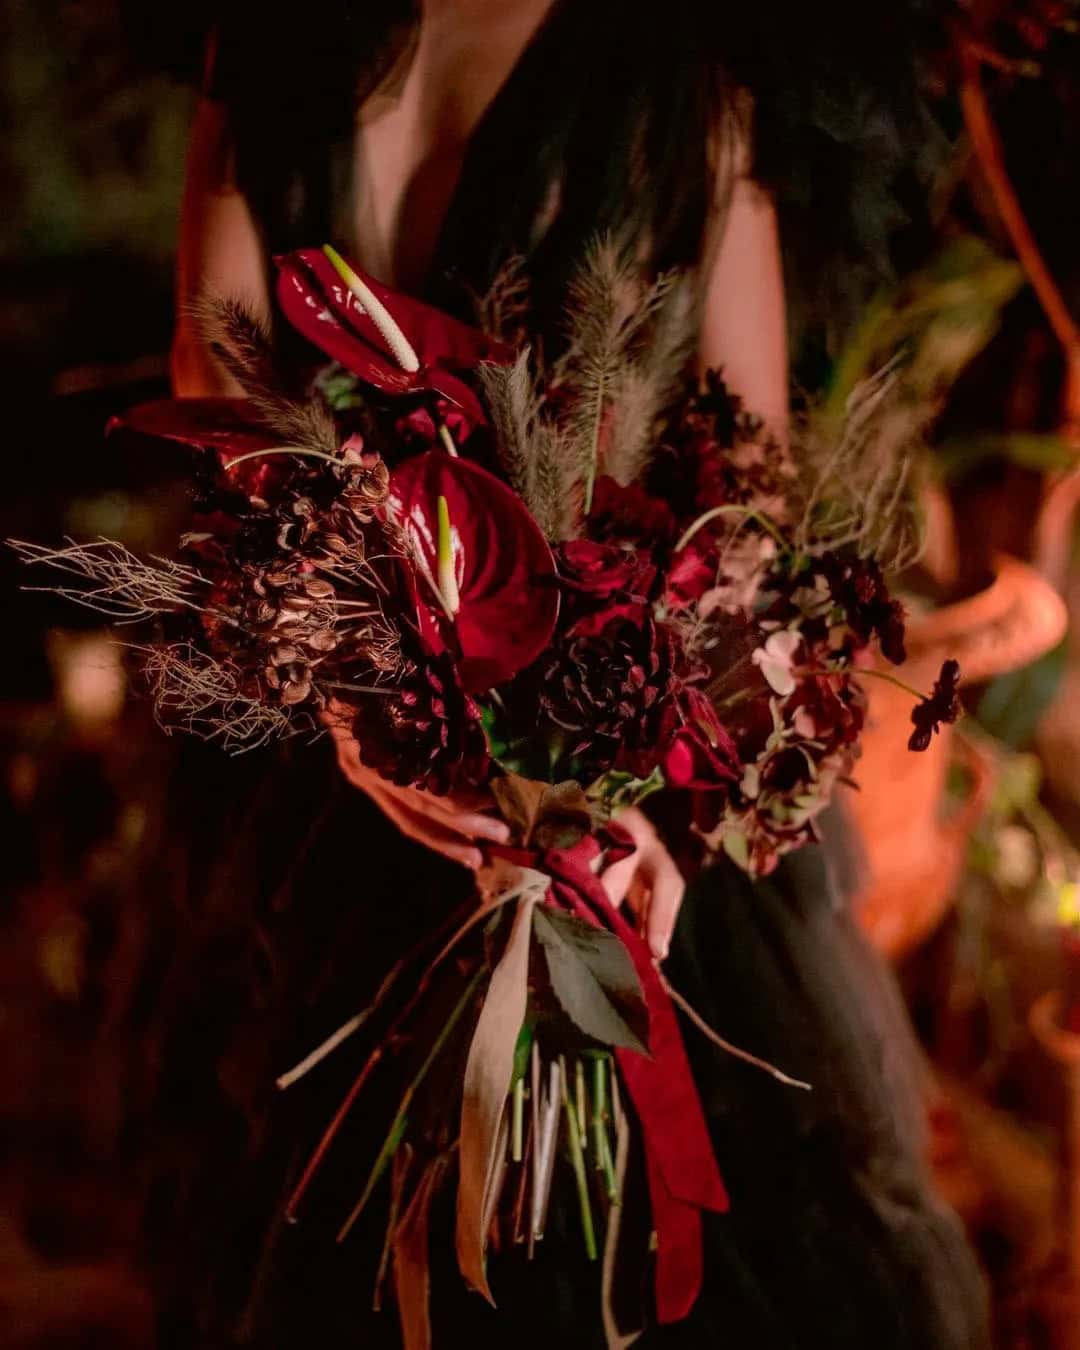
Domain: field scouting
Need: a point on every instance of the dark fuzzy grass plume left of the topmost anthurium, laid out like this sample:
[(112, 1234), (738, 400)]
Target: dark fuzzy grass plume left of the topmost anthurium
[(244, 346)]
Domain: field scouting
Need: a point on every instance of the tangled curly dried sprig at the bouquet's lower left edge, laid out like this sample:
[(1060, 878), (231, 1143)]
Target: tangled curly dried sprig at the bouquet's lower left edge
[(195, 693)]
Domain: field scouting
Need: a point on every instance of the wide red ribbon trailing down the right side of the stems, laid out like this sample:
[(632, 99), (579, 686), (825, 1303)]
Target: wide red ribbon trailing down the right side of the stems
[(682, 1171)]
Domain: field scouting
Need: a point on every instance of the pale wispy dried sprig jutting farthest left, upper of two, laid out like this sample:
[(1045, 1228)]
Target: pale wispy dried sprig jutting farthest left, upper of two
[(124, 587)]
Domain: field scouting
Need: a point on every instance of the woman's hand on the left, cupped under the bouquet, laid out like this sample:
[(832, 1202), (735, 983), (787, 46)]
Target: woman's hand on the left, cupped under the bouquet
[(450, 826)]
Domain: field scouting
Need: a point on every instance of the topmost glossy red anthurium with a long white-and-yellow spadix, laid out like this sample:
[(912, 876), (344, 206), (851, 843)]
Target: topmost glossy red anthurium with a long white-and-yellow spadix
[(391, 341)]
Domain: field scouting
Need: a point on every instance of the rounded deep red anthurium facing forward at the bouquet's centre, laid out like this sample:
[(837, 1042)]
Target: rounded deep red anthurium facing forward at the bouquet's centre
[(487, 569)]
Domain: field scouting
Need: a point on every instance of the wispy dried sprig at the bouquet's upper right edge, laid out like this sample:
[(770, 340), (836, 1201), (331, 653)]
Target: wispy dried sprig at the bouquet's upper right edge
[(857, 473)]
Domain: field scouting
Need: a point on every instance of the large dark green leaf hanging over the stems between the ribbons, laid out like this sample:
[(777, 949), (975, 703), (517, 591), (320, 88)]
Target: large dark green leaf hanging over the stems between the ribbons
[(595, 981)]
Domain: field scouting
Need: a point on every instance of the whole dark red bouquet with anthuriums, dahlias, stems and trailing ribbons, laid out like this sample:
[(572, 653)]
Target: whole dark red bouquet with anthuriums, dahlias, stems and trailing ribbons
[(570, 584)]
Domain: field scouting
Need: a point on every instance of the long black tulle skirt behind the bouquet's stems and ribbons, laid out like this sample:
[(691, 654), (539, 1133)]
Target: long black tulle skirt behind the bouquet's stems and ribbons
[(834, 1239)]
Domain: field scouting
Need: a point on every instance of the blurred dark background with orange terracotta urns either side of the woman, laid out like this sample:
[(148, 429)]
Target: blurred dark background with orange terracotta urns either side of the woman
[(973, 886)]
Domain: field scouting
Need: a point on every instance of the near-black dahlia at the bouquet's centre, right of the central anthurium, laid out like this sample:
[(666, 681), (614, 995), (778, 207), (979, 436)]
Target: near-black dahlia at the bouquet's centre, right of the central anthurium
[(610, 692)]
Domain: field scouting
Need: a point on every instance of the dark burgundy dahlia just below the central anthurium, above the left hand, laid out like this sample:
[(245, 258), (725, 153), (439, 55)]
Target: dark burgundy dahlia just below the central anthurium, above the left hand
[(427, 732)]
